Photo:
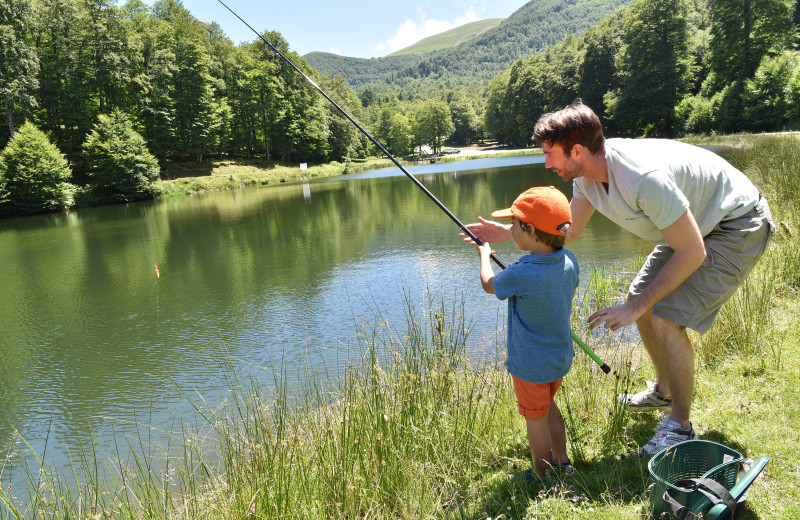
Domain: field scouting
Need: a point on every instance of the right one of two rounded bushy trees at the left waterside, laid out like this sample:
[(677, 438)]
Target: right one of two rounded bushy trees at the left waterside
[(118, 160)]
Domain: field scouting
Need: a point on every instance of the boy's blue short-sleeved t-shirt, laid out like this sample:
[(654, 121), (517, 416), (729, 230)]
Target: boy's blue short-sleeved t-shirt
[(539, 289)]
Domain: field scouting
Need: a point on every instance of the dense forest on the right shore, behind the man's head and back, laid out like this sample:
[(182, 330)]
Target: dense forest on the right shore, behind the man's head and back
[(664, 68)]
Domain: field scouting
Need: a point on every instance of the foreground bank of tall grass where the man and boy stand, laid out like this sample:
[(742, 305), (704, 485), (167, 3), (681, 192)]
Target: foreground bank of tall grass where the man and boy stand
[(415, 429)]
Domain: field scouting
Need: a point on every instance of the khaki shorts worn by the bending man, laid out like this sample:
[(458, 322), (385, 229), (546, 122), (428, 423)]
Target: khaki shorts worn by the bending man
[(732, 249)]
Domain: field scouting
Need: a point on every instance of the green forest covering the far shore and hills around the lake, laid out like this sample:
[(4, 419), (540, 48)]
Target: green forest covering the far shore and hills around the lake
[(99, 98)]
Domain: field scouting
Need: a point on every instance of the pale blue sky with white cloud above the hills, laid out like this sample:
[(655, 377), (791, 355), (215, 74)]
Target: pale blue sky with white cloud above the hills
[(357, 28)]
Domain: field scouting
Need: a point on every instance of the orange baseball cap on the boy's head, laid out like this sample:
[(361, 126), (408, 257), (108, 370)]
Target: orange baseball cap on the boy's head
[(543, 206)]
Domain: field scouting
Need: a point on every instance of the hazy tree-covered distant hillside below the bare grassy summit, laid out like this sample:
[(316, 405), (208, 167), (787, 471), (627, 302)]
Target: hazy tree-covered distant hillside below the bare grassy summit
[(531, 29)]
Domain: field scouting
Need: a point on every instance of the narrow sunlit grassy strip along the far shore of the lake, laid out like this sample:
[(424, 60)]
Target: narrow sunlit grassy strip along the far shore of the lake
[(188, 178)]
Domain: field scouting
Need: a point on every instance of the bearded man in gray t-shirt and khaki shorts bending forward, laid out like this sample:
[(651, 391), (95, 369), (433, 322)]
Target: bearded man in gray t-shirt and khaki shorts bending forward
[(708, 221)]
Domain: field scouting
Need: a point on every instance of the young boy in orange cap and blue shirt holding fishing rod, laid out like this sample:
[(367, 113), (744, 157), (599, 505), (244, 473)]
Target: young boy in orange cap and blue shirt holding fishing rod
[(539, 288)]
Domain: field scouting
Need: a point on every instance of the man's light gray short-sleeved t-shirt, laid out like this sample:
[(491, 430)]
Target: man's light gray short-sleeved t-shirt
[(652, 182)]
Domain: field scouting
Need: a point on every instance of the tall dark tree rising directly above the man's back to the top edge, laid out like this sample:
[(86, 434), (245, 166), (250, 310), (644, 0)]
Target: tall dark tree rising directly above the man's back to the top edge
[(655, 65)]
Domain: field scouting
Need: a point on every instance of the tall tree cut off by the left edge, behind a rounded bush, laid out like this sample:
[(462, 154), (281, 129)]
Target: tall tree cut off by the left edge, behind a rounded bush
[(18, 62)]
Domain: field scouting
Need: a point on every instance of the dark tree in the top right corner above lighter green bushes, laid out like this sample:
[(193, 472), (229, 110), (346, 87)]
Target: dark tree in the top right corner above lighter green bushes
[(743, 32)]
